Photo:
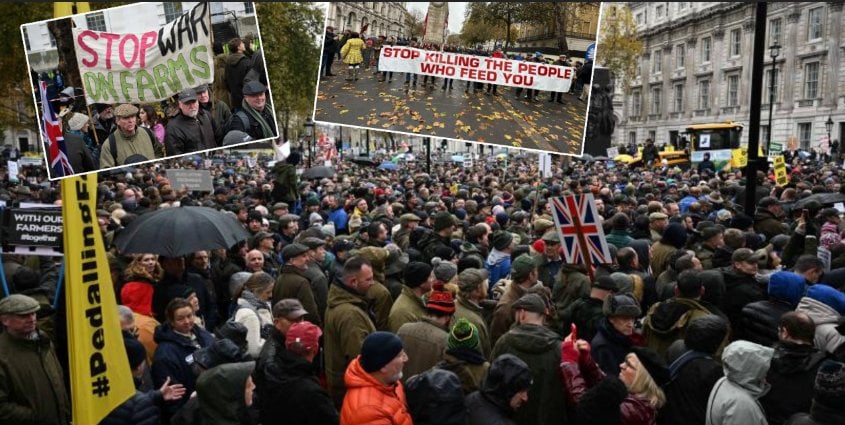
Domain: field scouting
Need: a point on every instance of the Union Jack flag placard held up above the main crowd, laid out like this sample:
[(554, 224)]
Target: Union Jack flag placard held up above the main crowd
[(580, 232)]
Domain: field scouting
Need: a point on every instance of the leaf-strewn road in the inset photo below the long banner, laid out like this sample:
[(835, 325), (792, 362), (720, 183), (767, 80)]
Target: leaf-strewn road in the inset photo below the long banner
[(502, 119)]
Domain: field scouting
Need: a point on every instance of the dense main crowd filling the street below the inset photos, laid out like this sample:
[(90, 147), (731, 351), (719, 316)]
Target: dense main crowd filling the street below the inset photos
[(408, 297)]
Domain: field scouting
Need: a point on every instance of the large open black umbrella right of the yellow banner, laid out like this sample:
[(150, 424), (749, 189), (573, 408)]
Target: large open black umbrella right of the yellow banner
[(174, 232)]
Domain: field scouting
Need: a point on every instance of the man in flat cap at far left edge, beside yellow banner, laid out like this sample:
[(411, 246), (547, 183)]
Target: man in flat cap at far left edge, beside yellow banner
[(32, 389)]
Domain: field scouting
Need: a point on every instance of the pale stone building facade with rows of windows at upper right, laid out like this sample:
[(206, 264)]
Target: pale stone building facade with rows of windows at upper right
[(696, 68)]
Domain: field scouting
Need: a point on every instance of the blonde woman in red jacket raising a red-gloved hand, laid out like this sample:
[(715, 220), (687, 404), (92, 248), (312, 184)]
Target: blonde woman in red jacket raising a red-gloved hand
[(632, 399)]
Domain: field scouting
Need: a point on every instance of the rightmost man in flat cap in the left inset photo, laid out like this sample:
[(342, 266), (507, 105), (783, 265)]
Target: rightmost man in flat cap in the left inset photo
[(253, 116)]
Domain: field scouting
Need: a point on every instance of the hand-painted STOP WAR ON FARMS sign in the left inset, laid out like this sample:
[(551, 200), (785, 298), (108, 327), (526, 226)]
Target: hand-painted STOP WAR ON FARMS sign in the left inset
[(147, 66)]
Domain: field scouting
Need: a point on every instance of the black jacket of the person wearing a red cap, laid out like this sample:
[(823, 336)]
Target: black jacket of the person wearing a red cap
[(292, 392)]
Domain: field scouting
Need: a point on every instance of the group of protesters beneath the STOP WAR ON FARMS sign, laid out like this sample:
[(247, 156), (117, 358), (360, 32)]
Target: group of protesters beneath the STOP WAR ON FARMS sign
[(235, 109)]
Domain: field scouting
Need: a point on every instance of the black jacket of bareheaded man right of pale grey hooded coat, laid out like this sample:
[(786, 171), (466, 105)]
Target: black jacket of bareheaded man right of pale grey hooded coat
[(792, 374)]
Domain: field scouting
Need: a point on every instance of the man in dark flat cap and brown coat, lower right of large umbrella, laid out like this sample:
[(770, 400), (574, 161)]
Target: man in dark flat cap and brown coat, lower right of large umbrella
[(292, 282)]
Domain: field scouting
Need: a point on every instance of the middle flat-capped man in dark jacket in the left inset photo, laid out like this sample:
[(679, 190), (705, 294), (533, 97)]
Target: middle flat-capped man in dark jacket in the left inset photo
[(191, 129)]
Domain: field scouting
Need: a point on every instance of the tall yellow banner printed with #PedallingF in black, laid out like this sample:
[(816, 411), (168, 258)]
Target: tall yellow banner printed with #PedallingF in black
[(100, 378)]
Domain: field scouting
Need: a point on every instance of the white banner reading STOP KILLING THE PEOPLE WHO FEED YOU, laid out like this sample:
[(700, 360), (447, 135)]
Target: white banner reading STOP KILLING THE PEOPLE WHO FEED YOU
[(506, 72)]
